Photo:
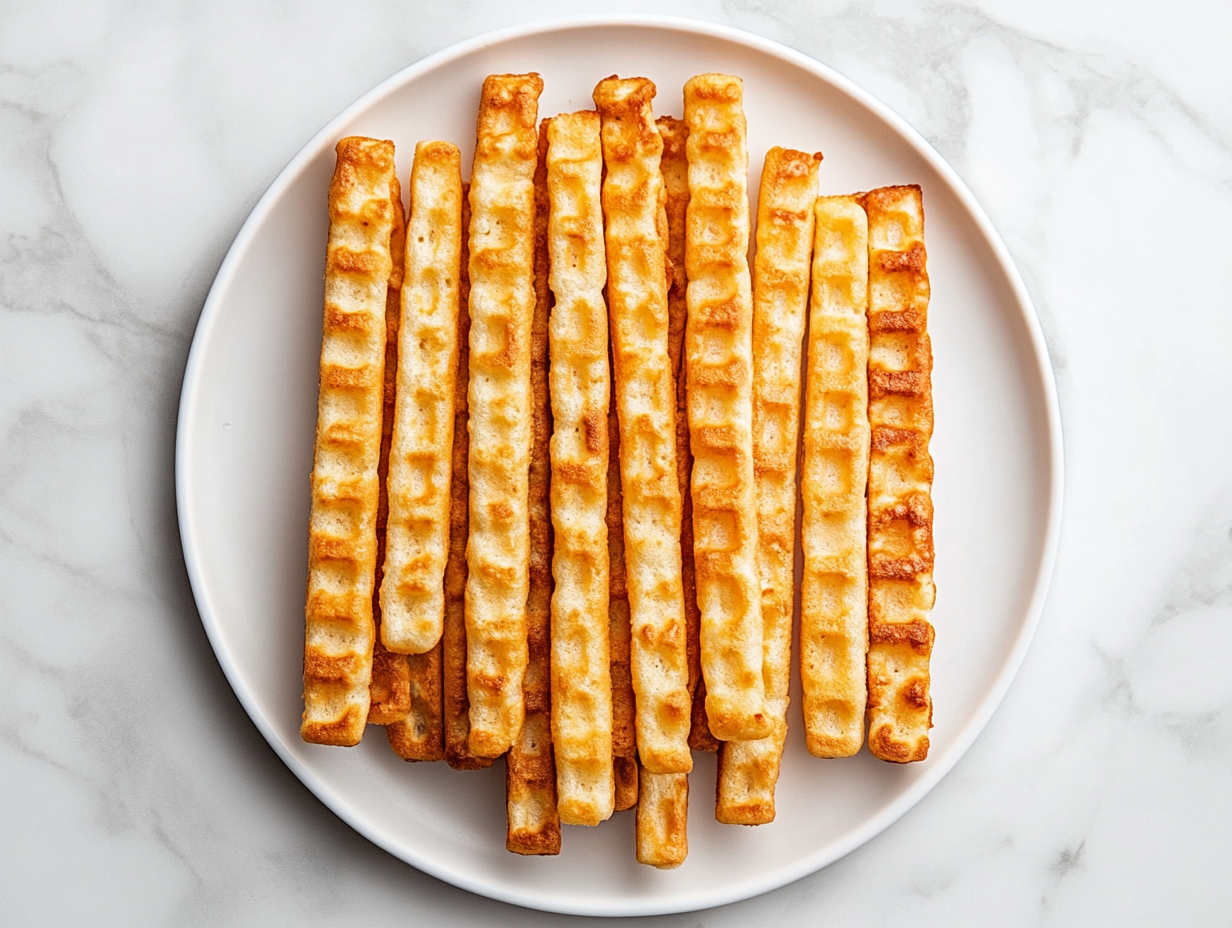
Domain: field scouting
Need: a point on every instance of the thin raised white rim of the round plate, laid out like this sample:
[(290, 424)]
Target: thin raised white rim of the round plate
[(190, 396)]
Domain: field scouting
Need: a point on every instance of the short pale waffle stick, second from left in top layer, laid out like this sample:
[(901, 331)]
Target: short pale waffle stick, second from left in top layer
[(418, 535)]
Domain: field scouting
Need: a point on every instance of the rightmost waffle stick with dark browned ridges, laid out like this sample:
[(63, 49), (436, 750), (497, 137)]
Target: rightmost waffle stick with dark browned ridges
[(901, 591)]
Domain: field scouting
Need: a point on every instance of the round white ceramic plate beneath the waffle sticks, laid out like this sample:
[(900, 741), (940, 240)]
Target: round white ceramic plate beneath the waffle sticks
[(246, 441)]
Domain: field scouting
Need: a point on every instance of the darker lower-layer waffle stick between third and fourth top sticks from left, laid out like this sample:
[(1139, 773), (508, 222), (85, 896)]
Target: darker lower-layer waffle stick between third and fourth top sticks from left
[(534, 826)]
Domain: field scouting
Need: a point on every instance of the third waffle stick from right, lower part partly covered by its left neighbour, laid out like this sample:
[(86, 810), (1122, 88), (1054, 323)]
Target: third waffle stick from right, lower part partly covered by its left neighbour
[(748, 771)]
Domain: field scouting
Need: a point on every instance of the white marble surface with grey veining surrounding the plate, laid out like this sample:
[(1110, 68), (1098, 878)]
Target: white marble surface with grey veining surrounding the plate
[(134, 141)]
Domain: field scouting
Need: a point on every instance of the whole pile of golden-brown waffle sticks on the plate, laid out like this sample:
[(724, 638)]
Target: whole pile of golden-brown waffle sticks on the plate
[(555, 486)]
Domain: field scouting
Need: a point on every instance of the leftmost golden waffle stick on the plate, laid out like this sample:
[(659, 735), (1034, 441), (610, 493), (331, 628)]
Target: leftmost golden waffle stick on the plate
[(342, 531)]
